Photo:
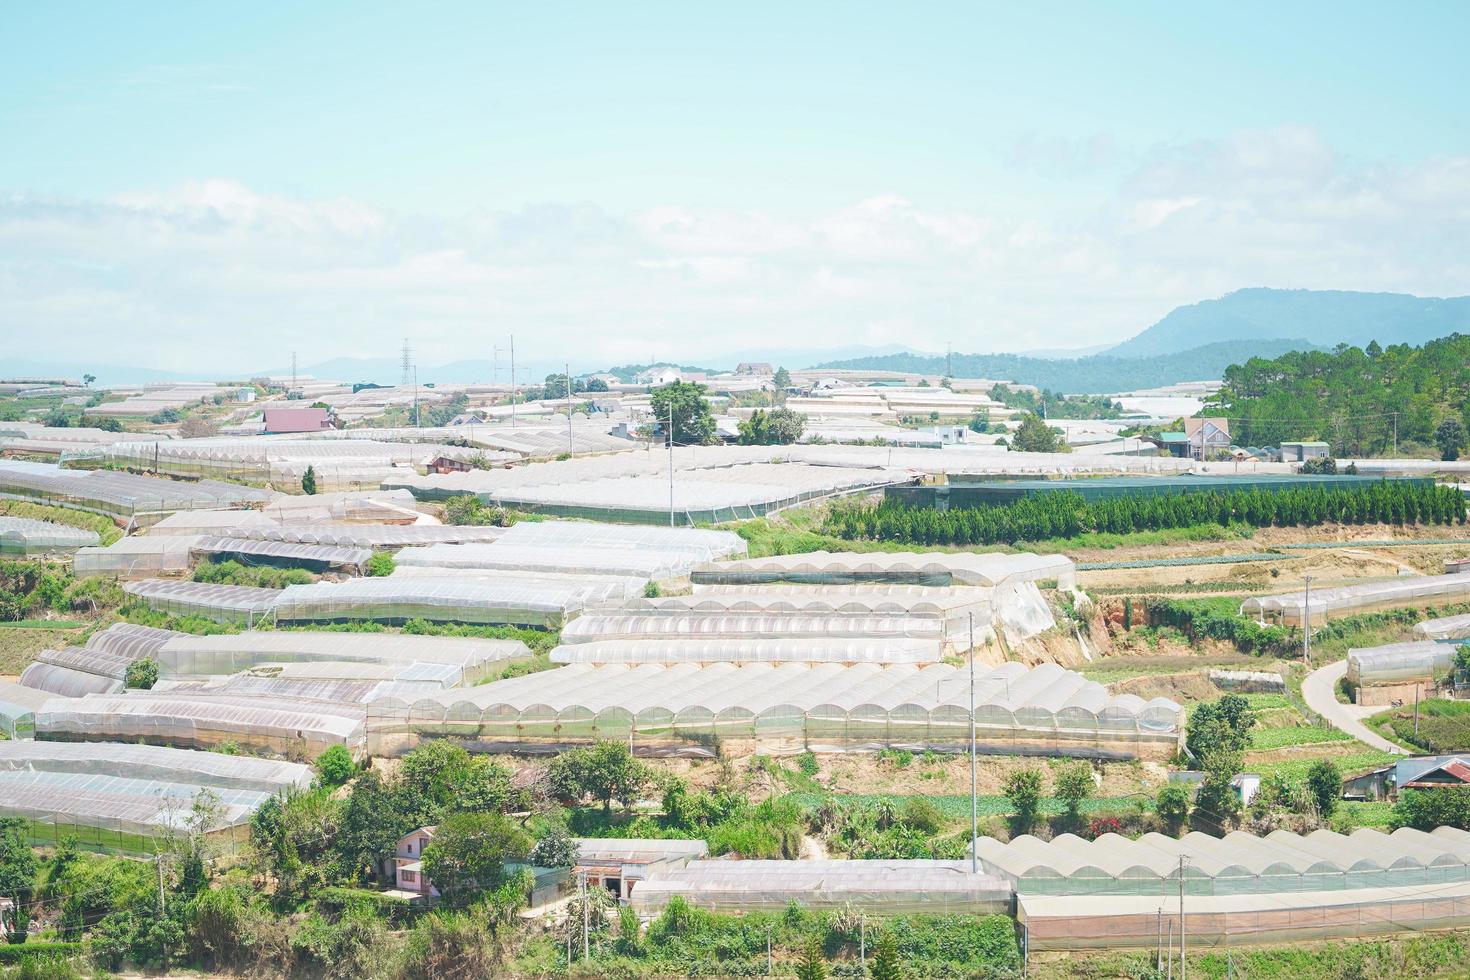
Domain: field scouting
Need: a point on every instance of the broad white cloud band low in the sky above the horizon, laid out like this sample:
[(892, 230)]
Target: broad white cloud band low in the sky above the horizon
[(217, 275)]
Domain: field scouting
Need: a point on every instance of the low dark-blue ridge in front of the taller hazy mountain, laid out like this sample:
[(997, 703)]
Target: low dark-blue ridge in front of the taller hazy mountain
[(1100, 374)]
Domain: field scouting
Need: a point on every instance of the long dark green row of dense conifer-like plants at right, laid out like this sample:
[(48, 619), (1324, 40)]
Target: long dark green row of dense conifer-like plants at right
[(1065, 515)]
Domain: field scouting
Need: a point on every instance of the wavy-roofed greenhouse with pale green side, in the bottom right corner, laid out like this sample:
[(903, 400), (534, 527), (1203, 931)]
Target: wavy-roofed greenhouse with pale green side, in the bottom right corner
[(1236, 865)]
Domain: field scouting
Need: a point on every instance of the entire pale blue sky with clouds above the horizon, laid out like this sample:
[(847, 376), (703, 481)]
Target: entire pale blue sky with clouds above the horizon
[(201, 187)]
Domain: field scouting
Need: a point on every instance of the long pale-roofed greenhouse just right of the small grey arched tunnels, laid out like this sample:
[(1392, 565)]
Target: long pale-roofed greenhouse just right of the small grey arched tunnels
[(187, 656)]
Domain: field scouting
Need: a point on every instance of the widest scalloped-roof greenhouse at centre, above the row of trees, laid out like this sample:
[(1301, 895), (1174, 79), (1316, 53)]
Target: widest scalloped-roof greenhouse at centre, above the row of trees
[(695, 710)]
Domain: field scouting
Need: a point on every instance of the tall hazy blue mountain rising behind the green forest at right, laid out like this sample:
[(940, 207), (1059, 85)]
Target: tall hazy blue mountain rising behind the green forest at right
[(1324, 318)]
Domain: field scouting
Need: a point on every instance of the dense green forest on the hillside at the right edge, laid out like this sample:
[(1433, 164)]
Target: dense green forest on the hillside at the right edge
[(1350, 397)]
